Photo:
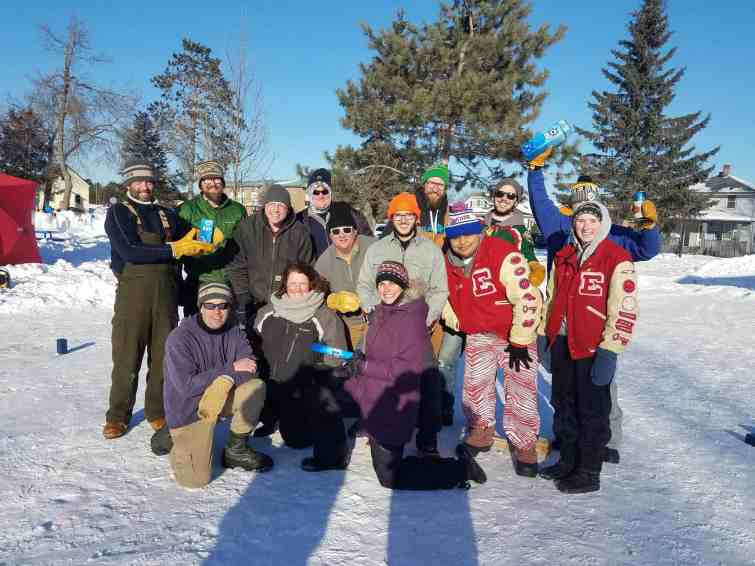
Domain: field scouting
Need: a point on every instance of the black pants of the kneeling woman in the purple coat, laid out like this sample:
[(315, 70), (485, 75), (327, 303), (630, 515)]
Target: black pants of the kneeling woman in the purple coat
[(332, 405)]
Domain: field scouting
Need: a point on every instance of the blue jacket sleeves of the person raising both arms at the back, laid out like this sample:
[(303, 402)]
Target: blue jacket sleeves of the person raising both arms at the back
[(556, 227)]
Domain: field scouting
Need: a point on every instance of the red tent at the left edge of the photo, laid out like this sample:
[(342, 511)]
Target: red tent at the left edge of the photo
[(17, 241)]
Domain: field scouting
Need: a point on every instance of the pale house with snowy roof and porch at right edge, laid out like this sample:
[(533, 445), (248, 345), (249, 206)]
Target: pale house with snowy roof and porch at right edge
[(726, 229)]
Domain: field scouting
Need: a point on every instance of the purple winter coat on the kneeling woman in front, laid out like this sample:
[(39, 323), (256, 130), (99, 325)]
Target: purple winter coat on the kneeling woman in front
[(398, 351)]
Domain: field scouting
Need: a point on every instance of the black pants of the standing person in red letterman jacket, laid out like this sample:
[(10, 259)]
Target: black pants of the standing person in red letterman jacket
[(582, 408)]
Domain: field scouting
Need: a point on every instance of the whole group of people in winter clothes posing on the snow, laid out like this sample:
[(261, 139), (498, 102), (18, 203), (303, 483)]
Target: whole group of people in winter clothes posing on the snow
[(441, 281)]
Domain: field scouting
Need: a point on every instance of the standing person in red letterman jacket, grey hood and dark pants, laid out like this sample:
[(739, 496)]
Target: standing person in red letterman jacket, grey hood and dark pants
[(589, 319)]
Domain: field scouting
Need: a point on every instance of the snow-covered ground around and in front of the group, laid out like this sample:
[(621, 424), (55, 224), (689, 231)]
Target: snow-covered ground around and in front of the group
[(684, 492)]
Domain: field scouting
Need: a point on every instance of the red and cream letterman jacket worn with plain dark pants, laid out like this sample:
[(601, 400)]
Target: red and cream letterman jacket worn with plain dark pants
[(598, 299)]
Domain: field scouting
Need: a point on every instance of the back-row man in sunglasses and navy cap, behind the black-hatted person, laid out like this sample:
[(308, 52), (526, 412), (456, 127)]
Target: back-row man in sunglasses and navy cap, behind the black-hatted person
[(316, 216)]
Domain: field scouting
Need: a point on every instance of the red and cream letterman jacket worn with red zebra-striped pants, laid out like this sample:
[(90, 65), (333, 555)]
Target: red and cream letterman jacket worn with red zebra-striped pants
[(497, 296)]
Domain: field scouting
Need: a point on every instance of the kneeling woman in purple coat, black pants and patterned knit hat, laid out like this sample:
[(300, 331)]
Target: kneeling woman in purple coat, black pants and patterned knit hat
[(382, 387)]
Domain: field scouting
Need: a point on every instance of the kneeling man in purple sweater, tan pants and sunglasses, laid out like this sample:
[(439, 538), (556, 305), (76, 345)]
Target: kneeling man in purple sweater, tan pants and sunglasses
[(209, 373)]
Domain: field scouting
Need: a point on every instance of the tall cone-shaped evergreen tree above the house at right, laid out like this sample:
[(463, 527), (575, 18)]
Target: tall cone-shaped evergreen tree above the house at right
[(641, 147)]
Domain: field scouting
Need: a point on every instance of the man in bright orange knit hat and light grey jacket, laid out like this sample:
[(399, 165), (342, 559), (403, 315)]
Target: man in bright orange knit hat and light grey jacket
[(424, 261)]
